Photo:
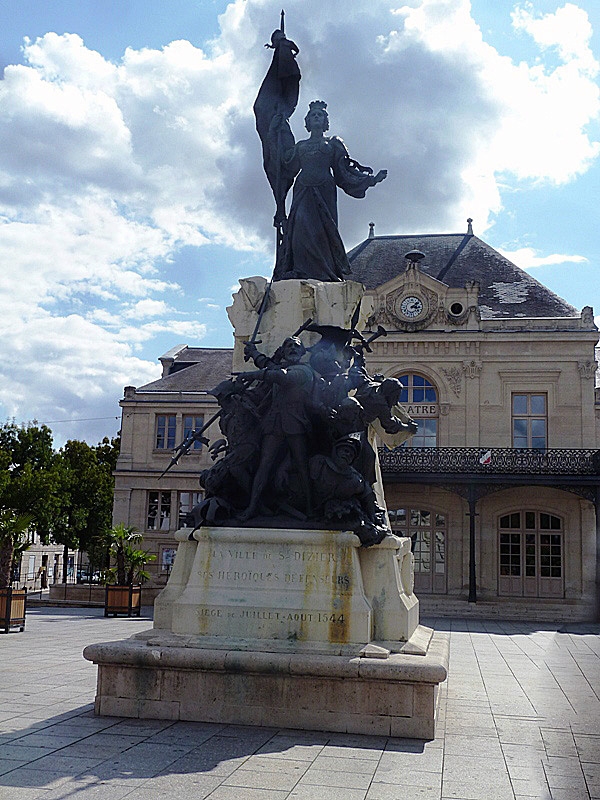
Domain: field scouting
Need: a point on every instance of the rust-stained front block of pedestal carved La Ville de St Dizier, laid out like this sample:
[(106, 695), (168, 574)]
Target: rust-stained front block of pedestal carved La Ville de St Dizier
[(281, 586)]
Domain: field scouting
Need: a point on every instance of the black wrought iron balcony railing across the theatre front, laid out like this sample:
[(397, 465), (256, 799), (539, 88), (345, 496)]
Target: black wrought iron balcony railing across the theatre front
[(490, 461)]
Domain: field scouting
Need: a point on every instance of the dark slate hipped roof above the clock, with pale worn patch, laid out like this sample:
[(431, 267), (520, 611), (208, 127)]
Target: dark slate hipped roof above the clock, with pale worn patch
[(455, 258)]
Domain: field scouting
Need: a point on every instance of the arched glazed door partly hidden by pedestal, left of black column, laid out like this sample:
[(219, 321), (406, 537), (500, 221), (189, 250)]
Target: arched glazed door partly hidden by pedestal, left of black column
[(427, 531)]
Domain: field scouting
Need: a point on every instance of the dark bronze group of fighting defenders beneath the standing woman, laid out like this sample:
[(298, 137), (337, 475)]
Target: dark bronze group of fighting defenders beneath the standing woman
[(296, 450)]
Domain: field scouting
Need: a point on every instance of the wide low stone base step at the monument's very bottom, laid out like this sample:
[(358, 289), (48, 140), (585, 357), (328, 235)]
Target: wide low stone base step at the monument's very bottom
[(392, 696)]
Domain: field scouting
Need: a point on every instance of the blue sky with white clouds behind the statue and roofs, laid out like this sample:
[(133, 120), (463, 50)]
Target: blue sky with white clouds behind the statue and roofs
[(132, 196)]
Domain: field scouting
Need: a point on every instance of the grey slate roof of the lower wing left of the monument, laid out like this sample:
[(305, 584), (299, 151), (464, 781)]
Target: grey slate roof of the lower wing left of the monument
[(199, 370)]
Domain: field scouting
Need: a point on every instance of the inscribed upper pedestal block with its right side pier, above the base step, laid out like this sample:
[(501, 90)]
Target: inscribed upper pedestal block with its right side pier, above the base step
[(317, 590)]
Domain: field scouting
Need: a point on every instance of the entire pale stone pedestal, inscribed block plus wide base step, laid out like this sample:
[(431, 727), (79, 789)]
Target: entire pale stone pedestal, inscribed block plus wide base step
[(301, 629)]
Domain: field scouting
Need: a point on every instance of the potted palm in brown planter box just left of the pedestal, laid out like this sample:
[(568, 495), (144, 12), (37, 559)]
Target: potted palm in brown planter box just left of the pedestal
[(124, 579)]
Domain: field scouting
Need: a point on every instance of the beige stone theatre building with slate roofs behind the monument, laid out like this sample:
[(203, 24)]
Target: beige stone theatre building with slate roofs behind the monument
[(500, 488)]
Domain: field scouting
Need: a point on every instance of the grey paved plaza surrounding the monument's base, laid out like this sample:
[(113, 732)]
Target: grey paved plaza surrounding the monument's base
[(519, 718)]
